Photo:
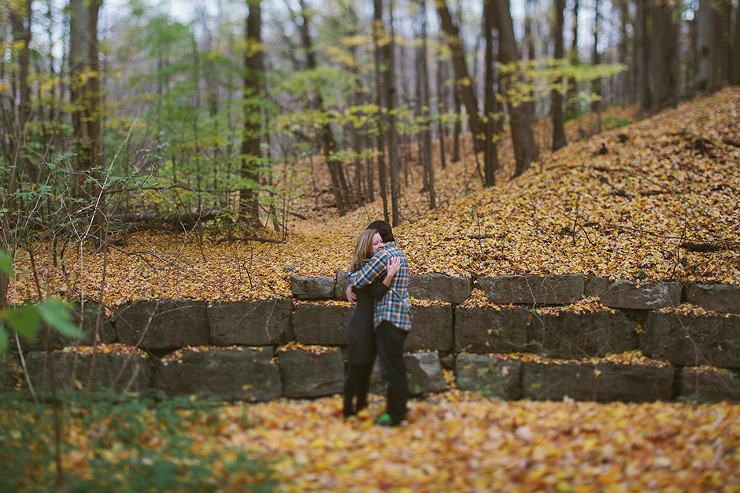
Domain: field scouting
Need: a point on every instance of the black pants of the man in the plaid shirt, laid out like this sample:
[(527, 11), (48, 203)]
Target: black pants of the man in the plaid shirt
[(390, 341)]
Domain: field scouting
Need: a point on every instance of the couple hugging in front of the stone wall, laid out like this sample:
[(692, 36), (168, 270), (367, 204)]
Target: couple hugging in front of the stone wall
[(378, 282)]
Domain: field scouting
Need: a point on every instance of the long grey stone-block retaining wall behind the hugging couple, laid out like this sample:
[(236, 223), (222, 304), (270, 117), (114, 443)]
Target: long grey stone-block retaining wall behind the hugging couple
[(293, 347)]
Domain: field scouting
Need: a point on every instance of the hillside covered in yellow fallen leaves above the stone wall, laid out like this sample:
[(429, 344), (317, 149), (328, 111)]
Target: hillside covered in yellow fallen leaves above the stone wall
[(658, 199)]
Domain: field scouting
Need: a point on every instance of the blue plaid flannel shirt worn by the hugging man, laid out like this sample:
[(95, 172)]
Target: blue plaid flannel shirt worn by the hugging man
[(395, 306)]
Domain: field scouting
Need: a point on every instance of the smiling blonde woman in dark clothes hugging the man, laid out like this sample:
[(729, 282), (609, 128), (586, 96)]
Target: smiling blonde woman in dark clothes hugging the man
[(360, 331)]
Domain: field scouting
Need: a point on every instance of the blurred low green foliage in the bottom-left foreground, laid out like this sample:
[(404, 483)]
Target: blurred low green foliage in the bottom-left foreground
[(135, 446)]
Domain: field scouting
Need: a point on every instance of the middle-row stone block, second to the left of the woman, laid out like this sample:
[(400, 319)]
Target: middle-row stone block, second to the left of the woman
[(250, 323)]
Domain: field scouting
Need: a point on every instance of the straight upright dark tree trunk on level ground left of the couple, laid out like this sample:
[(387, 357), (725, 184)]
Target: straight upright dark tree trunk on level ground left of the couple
[(251, 153)]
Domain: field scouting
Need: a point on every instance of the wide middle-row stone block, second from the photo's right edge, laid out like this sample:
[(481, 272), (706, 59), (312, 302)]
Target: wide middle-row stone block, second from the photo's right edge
[(570, 335)]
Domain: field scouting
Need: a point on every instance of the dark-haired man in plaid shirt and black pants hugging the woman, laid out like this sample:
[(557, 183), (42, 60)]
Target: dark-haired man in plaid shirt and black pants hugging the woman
[(392, 322)]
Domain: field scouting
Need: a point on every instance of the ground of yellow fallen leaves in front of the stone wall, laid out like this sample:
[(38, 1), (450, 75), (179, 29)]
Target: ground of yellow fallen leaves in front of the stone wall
[(452, 442)]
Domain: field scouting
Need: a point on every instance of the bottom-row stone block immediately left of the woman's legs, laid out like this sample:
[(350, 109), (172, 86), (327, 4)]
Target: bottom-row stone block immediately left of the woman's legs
[(307, 373)]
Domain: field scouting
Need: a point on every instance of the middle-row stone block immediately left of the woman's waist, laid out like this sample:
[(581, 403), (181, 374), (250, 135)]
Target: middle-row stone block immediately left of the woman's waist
[(323, 325)]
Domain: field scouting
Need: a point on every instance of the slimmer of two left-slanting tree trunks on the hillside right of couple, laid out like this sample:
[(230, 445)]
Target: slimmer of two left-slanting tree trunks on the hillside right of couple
[(464, 84)]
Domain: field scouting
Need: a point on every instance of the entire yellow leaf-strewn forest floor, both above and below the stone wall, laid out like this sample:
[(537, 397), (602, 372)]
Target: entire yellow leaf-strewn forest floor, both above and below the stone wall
[(662, 202)]
